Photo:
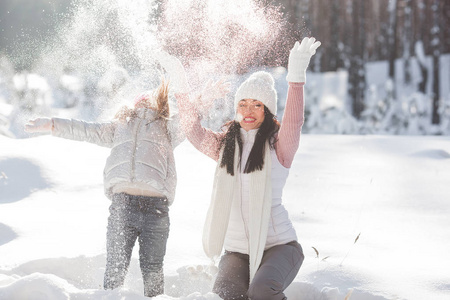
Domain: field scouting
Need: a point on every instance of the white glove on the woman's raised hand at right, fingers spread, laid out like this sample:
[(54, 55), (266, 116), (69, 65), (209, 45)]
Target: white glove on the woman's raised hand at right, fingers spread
[(299, 58)]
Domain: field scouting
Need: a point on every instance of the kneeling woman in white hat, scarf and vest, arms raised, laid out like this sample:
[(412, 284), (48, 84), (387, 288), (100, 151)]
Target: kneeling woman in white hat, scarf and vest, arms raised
[(253, 154)]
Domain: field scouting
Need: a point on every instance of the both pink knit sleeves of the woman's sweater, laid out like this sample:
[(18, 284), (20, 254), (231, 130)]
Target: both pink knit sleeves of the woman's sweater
[(208, 141)]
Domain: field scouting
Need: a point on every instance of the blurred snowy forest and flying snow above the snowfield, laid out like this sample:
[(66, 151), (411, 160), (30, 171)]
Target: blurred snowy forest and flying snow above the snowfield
[(383, 67)]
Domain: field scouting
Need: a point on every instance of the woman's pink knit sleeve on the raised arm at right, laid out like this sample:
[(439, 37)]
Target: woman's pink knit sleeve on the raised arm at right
[(291, 125)]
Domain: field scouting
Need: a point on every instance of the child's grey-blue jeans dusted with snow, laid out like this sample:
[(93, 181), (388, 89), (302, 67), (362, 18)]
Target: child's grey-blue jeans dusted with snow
[(145, 219)]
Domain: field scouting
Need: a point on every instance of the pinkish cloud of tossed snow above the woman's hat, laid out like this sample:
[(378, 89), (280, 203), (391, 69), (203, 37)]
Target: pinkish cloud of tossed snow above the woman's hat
[(228, 36)]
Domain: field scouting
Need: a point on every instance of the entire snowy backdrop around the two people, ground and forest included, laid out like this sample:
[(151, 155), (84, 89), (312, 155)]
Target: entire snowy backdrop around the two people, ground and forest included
[(367, 193)]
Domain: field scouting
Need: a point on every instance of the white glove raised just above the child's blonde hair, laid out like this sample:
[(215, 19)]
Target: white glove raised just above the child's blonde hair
[(175, 69)]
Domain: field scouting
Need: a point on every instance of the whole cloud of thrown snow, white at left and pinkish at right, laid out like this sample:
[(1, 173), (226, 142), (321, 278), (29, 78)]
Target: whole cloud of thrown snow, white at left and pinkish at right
[(109, 43)]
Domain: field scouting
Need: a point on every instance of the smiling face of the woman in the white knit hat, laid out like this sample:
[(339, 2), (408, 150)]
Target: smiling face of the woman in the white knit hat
[(250, 113)]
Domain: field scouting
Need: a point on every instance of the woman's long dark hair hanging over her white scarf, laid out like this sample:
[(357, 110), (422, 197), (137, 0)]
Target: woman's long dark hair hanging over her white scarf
[(266, 132)]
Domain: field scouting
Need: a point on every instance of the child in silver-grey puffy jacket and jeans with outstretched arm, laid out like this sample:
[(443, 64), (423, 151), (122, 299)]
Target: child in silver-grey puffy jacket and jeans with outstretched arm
[(139, 178)]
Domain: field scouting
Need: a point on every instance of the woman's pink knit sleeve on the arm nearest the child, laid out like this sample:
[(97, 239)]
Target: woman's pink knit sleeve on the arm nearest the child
[(205, 140)]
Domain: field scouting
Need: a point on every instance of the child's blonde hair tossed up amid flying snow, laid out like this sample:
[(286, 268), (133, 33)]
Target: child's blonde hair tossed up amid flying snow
[(158, 97)]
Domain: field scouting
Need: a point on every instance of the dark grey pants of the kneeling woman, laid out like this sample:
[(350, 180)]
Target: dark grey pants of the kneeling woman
[(279, 266)]
